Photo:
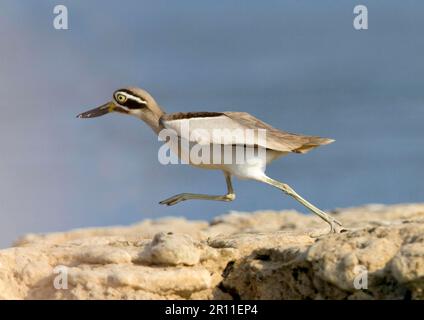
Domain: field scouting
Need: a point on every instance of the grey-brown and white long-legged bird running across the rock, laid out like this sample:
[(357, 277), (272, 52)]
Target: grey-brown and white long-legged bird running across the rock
[(139, 103)]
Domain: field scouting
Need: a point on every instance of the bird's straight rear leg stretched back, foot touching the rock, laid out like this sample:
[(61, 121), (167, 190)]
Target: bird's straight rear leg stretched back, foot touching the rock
[(335, 226)]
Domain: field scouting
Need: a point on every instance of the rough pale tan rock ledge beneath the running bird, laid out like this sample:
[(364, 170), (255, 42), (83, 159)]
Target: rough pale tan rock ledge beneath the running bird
[(240, 255)]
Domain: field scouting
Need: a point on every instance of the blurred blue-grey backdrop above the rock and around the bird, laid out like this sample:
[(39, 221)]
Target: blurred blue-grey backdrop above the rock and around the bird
[(298, 65)]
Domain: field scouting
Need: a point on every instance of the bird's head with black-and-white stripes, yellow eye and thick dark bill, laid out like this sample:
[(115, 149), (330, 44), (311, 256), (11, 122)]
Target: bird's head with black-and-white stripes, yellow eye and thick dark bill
[(133, 101)]
